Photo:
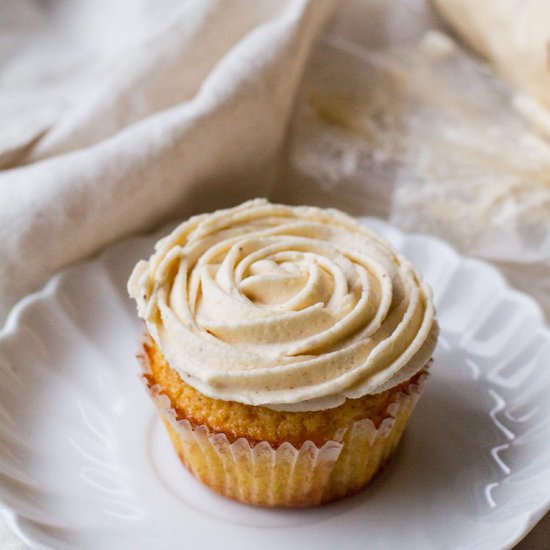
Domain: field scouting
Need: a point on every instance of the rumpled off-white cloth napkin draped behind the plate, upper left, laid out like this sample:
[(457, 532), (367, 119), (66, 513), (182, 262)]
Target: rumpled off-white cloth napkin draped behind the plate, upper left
[(116, 115)]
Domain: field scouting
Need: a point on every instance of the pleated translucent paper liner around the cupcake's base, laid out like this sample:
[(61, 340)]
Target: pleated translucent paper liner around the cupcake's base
[(257, 473)]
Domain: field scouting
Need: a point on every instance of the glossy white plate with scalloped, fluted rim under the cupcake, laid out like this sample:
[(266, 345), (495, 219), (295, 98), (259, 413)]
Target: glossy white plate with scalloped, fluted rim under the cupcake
[(85, 463)]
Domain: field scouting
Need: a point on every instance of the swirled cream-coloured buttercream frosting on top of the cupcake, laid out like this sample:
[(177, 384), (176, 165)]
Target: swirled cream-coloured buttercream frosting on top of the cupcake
[(293, 308)]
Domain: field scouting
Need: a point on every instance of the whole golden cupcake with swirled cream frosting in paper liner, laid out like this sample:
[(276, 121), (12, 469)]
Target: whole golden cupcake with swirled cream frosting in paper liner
[(286, 349)]
